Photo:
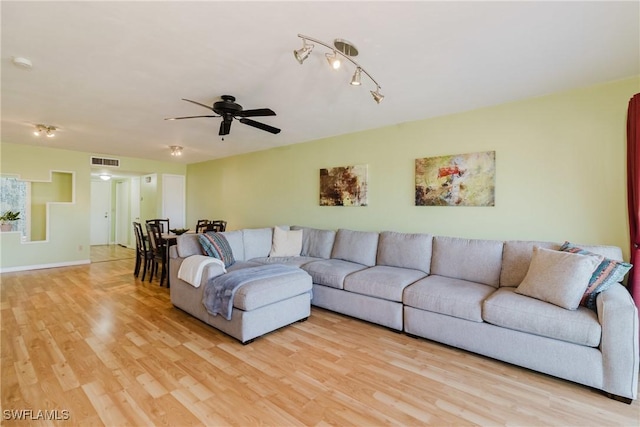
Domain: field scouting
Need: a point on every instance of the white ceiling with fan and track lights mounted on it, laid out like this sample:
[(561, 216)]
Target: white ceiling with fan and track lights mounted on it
[(108, 73)]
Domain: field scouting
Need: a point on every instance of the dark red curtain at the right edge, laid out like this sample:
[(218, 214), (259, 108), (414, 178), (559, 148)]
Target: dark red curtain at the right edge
[(633, 193)]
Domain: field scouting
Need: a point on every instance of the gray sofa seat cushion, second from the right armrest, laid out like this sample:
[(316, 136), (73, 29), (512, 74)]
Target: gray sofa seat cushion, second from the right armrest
[(444, 295)]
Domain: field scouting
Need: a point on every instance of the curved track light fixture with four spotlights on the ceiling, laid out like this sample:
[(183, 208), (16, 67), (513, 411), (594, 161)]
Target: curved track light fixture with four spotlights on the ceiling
[(340, 49)]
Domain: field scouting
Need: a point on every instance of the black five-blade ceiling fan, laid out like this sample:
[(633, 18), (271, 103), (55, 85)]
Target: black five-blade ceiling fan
[(229, 110)]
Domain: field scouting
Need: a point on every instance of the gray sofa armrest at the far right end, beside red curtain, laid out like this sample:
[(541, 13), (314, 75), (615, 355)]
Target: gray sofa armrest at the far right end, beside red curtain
[(618, 317)]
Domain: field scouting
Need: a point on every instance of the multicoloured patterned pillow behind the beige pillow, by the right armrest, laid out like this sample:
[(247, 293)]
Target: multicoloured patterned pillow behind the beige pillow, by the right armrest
[(606, 274)]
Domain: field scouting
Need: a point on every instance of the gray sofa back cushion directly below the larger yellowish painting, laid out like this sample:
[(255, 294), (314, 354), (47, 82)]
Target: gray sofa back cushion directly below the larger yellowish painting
[(473, 260)]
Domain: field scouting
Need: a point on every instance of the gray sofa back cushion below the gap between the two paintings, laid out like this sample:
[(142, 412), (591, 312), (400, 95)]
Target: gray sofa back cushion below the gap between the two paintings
[(405, 250)]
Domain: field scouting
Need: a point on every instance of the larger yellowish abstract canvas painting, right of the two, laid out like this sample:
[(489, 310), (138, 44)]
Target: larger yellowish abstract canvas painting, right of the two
[(456, 180)]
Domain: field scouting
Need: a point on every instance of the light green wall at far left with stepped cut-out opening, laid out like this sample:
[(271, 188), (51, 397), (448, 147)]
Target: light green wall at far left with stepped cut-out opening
[(69, 223)]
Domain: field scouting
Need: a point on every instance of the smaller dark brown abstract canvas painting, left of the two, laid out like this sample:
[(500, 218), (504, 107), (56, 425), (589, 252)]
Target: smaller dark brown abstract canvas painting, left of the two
[(343, 186)]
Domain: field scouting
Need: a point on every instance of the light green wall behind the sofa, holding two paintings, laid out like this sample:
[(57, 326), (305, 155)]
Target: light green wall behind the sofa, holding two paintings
[(560, 161)]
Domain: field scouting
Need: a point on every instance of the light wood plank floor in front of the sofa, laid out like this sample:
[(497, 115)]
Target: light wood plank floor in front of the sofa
[(93, 344)]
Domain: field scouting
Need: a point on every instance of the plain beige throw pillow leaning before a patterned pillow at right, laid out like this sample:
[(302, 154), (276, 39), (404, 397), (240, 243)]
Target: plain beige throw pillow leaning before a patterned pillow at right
[(557, 277)]
